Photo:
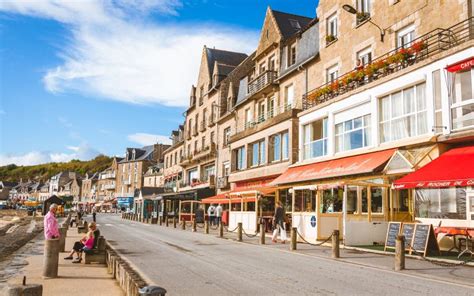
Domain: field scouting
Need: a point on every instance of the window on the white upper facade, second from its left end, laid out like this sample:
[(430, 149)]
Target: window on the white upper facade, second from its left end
[(353, 133)]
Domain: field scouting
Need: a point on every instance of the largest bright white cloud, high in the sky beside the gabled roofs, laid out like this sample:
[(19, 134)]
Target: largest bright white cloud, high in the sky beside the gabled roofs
[(115, 53)]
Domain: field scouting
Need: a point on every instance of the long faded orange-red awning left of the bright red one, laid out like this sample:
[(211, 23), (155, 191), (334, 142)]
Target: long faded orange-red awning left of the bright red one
[(352, 165)]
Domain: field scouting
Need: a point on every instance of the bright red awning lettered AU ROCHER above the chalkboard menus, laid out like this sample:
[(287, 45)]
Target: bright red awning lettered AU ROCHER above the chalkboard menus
[(453, 168)]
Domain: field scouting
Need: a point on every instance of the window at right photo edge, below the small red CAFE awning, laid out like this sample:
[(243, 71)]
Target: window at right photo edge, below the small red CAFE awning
[(462, 102)]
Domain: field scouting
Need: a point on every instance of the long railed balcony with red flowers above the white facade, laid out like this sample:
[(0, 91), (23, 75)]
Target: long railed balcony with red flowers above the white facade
[(422, 48)]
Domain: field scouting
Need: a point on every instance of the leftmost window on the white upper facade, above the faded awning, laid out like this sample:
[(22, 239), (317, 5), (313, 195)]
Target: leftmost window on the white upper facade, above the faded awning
[(315, 139)]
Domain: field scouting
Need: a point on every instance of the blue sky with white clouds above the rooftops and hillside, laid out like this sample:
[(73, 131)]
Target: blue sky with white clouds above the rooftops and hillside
[(79, 78)]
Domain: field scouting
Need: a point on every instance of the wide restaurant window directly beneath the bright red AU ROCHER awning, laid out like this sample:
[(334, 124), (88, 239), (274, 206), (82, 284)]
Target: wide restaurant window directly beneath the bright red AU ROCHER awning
[(441, 203)]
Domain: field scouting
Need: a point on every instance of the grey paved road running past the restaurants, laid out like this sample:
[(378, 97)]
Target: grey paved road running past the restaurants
[(187, 263)]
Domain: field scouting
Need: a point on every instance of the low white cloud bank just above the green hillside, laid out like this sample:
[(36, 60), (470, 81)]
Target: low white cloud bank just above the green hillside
[(82, 152)]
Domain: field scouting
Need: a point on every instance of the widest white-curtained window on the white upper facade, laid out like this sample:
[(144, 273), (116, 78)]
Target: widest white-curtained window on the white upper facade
[(403, 114)]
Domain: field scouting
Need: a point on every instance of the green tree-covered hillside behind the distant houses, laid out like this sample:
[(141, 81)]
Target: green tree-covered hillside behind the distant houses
[(44, 171)]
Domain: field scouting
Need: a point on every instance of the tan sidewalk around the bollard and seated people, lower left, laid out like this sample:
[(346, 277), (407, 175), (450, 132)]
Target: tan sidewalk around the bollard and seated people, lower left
[(74, 279)]
